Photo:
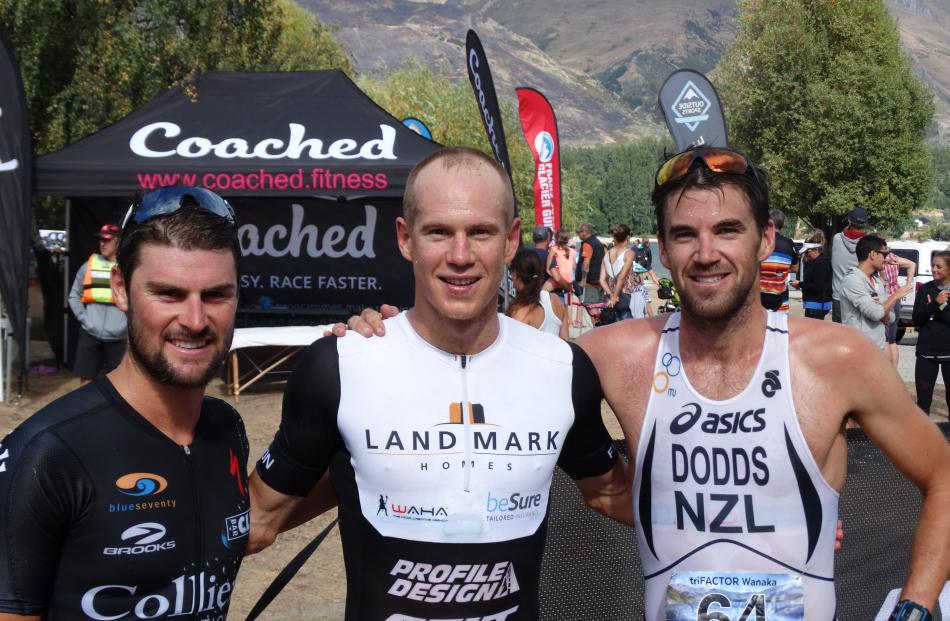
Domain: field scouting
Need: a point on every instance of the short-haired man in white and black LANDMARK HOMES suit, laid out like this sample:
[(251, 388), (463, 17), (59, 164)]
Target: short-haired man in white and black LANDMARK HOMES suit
[(440, 455)]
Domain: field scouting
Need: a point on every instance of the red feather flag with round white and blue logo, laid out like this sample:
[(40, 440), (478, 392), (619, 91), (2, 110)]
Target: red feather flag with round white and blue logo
[(540, 131)]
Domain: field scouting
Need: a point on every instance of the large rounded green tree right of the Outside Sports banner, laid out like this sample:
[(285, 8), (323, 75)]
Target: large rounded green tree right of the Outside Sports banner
[(819, 93)]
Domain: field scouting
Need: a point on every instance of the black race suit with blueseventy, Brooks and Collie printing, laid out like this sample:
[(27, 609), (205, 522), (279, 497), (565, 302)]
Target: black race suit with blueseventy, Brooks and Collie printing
[(104, 517)]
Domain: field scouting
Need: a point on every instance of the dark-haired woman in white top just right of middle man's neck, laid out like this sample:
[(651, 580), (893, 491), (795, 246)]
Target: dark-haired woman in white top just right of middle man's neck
[(532, 304)]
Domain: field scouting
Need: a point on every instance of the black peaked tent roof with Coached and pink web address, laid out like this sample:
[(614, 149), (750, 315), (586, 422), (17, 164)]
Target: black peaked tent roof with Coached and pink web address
[(245, 134)]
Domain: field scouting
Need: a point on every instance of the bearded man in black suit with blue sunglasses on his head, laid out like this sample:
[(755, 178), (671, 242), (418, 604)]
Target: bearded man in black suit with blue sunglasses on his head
[(127, 498)]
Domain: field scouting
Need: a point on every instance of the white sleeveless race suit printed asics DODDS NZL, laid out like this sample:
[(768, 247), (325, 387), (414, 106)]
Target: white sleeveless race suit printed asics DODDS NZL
[(733, 514)]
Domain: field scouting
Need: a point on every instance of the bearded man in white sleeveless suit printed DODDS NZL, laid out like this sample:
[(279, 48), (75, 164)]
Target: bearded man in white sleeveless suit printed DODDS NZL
[(737, 428)]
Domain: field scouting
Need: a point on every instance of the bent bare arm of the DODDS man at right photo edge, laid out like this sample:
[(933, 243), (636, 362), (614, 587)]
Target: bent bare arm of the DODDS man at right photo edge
[(885, 411)]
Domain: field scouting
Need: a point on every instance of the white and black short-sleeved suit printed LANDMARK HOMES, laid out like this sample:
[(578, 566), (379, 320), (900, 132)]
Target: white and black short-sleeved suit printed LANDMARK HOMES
[(441, 464)]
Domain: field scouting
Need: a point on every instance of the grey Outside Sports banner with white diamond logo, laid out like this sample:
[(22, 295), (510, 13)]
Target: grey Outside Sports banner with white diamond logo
[(693, 114)]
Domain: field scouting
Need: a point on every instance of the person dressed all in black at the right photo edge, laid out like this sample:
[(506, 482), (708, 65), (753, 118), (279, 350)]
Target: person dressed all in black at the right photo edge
[(932, 318)]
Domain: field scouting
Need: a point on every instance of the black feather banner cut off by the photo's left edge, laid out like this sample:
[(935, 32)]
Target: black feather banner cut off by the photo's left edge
[(15, 206)]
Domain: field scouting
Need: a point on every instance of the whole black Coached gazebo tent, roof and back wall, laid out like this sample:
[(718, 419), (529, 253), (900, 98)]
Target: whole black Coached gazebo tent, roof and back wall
[(314, 168)]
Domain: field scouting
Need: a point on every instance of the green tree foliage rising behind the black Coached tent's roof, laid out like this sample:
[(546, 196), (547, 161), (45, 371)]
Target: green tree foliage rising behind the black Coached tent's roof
[(87, 63)]
